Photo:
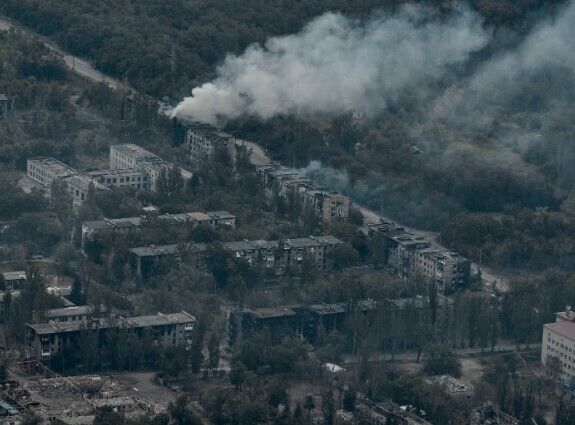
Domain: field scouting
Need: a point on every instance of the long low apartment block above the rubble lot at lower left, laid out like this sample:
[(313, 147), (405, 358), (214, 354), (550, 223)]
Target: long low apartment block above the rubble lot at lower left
[(44, 340)]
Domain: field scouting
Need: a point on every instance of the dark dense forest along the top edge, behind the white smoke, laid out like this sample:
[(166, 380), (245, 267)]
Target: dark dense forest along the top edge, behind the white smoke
[(168, 47)]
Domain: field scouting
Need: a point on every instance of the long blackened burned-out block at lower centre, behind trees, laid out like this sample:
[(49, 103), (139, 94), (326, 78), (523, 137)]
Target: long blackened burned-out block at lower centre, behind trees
[(294, 320)]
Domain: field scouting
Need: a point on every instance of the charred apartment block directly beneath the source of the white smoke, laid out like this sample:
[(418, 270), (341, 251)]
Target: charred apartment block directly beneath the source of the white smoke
[(203, 140)]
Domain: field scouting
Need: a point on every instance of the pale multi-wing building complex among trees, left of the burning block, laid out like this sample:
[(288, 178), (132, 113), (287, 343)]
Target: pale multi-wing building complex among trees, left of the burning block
[(130, 166)]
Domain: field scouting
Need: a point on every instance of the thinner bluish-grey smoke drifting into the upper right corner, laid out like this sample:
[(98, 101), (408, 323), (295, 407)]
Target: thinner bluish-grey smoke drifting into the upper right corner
[(477, 101)]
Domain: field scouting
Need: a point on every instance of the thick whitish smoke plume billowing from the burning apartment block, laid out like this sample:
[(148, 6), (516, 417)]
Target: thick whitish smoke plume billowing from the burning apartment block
[(336, 63)]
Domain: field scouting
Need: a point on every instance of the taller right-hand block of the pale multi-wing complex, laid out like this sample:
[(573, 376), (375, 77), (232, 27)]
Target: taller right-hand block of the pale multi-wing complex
[(129, 156)]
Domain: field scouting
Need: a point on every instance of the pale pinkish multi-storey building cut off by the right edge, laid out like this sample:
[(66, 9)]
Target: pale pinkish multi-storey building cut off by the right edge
[(559, 342)]
